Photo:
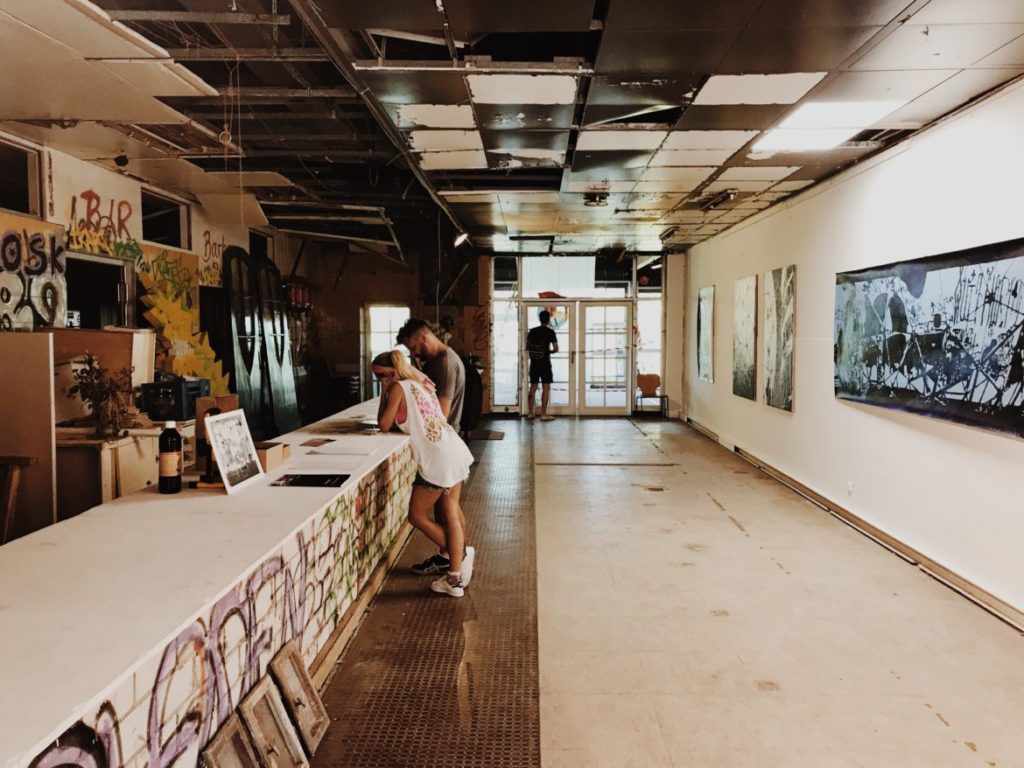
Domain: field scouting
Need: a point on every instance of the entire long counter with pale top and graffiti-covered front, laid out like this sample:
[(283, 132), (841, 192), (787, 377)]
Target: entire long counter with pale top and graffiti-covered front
[(131, 633)]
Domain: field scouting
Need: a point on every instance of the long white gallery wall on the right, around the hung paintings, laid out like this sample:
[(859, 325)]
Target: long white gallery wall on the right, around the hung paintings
[(954, 493)]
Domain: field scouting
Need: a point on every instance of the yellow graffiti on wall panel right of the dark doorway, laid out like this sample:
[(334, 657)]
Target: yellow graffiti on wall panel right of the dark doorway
[(170, 294)]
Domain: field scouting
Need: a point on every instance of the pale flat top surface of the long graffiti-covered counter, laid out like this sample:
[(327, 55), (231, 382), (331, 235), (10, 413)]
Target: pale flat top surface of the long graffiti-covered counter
[(83, 603)]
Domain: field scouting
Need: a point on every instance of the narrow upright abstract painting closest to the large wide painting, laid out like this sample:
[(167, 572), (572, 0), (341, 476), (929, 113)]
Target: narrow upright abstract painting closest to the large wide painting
[(781, 289)]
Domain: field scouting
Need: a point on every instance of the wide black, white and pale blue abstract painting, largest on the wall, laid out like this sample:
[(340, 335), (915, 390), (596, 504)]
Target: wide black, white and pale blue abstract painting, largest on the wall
[(940, 336)]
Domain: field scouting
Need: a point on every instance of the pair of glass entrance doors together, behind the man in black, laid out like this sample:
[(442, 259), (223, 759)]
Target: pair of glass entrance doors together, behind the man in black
[(593, 370)]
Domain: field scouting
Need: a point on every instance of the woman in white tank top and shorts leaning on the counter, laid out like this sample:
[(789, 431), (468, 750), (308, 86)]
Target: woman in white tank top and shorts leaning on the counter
[(443, 461)]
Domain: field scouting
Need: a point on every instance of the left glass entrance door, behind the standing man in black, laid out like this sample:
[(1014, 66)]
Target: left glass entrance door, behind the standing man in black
[(563, 401)]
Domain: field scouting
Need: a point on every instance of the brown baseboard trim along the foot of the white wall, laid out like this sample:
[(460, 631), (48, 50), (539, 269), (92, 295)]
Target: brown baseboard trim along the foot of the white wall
[(978, 595)]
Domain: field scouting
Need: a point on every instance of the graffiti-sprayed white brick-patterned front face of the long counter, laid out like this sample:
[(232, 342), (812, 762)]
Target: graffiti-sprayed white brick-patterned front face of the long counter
[(298, 593)]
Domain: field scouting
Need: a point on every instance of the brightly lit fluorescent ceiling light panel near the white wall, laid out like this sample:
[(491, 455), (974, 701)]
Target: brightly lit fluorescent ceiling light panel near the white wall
[(824, 125)]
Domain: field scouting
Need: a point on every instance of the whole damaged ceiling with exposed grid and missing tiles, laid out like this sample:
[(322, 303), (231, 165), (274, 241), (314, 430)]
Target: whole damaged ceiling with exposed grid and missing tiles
[(536, 125)]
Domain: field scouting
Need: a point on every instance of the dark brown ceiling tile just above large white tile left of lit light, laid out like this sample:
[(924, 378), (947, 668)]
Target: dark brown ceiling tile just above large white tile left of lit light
[(813, 50)]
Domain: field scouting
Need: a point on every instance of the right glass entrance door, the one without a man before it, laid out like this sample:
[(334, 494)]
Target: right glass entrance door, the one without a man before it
[(607, 359)]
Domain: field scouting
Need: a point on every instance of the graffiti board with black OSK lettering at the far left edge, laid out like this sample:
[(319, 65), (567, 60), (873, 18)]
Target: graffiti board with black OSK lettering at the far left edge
[(33, 286)]
